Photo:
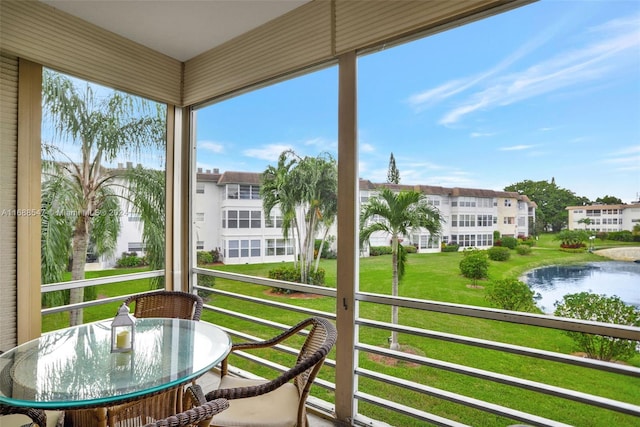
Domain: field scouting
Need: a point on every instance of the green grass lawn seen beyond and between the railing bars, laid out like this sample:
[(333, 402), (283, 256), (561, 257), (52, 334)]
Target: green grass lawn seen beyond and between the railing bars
[(437, 277)]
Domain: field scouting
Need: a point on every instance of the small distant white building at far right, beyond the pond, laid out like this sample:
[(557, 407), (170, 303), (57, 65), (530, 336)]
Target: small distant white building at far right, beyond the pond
[(604, 217)]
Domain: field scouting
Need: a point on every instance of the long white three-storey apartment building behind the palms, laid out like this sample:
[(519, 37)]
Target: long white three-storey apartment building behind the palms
[(228, 217)]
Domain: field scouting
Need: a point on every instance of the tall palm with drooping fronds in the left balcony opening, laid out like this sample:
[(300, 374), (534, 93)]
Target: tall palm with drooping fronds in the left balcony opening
[(81, 197)]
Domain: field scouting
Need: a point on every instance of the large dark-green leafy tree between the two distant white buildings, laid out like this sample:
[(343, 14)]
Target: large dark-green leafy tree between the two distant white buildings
[(552, 201)]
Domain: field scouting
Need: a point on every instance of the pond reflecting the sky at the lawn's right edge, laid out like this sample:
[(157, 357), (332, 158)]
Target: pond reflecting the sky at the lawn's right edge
[(609, 278)]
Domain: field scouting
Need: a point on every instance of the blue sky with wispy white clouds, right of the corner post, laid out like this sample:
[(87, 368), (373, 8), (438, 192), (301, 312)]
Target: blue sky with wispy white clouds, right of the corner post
[(551, 89)]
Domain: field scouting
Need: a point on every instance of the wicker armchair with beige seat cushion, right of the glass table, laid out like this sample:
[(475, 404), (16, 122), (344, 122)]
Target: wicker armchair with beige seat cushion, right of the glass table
[(277, 402)]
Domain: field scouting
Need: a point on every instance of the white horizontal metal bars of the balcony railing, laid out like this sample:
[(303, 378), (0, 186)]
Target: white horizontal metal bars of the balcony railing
[(413, 385)]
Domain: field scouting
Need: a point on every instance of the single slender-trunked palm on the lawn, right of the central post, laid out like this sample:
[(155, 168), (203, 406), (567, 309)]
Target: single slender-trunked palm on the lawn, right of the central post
[(397, 214)]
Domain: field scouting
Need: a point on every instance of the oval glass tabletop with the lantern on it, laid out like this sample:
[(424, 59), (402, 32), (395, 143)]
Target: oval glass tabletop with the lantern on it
[(74, 368)]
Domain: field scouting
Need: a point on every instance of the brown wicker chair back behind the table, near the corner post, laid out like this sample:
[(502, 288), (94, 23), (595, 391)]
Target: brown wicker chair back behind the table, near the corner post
[(174, 304)]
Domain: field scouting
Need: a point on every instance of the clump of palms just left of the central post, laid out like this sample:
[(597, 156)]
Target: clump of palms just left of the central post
[(305, 191)]
